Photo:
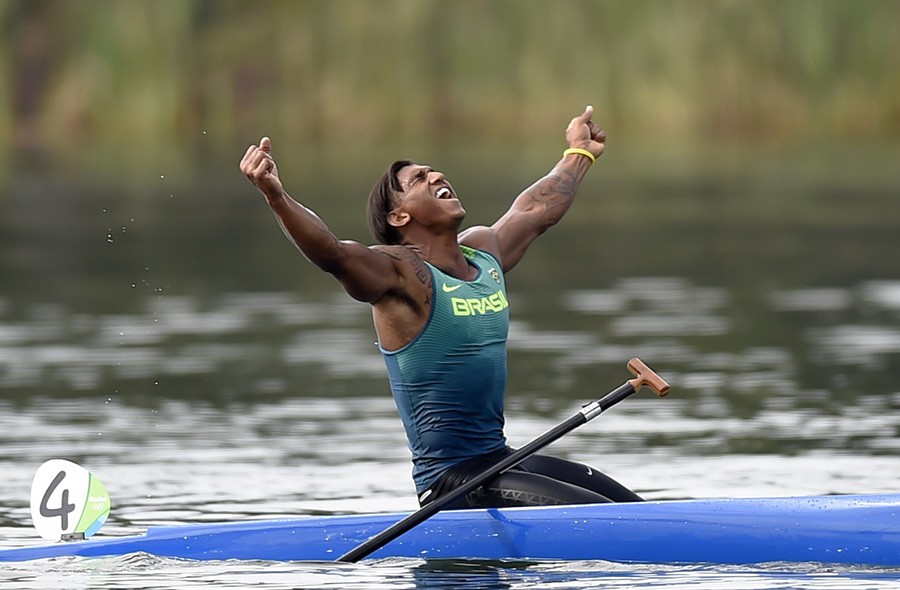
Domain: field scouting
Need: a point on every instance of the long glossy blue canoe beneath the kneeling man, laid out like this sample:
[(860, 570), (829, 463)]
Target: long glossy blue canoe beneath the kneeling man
[(860, 529)]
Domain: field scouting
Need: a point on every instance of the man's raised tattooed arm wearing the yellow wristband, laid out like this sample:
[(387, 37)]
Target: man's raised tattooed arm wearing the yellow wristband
[(545, 202)]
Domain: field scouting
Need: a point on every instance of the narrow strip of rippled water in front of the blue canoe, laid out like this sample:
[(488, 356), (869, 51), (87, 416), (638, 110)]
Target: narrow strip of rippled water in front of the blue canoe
[(147, 572)]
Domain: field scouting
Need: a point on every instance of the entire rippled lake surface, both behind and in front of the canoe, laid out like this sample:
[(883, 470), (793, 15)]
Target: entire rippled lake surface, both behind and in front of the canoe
[(162, 333)]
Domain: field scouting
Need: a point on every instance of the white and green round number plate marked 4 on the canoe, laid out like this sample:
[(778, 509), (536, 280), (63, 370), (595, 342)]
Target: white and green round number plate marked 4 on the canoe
[(67, 501)]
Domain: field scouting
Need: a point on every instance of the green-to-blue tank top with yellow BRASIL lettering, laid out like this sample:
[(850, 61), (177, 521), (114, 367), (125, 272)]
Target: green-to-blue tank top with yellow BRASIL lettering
[(449, 382)]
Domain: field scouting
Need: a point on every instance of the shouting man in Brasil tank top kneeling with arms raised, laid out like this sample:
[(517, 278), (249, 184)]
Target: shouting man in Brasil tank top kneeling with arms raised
[(441, 314)]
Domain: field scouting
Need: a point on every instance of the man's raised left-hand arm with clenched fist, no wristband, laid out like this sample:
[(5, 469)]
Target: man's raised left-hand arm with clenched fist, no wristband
[(364, 273)]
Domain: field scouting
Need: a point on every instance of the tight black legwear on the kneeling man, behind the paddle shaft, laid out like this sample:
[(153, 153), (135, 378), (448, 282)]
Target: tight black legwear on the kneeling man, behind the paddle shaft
[(539, 480)]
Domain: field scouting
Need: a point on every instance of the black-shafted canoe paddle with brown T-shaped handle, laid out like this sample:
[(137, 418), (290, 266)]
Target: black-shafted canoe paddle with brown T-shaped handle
[(643, 376)]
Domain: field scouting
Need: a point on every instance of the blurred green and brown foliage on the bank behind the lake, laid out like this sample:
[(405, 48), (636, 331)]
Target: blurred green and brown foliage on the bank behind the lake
[(115, 76)]
